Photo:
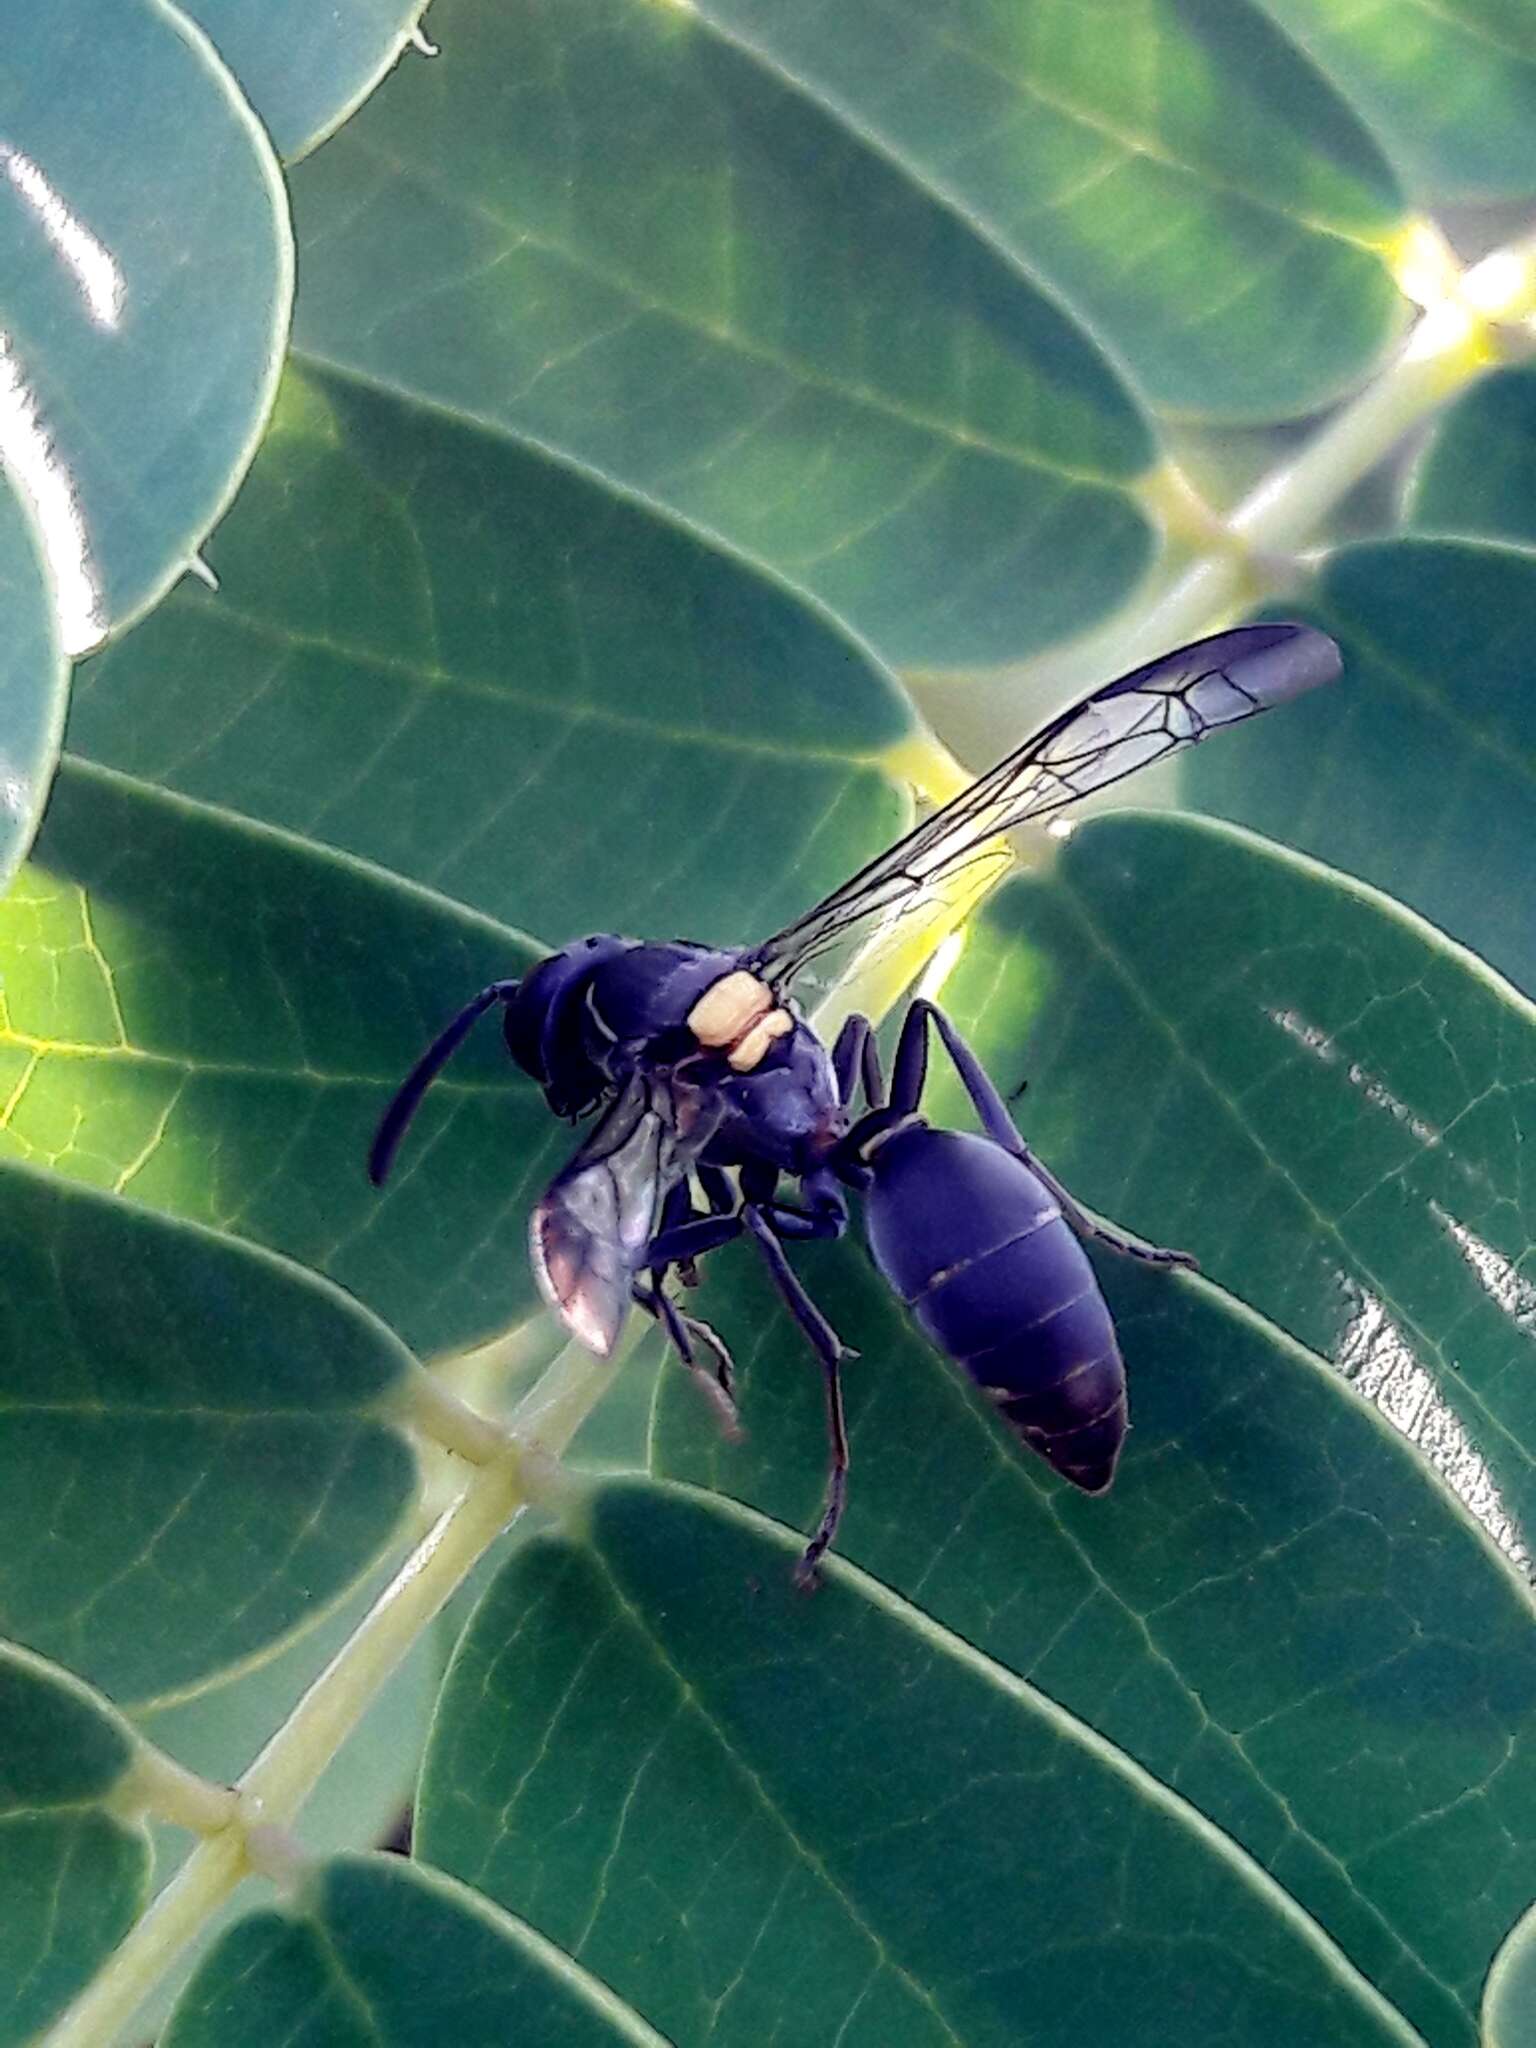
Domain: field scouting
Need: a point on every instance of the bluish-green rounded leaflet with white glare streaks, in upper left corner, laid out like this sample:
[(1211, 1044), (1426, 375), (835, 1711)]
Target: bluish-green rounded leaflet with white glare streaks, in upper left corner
[(146, 282)]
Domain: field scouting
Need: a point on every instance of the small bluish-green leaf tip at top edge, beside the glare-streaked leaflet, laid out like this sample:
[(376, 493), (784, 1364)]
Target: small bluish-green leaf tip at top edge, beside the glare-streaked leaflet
[(308, 69)]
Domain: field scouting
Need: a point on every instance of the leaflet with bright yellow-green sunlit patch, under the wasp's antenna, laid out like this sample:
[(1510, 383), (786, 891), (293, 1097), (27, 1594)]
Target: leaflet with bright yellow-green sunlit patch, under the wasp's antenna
[(214, 1017)]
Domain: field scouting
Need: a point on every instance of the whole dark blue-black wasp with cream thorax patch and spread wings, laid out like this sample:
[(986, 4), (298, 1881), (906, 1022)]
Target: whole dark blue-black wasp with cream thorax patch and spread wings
[(712, 1089)]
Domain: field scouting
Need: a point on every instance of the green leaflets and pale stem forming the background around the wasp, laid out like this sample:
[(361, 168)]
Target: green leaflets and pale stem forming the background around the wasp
[(591, 480)]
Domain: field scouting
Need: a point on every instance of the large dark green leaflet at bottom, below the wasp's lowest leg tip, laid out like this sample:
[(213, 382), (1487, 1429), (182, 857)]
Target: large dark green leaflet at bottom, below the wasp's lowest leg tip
[(765, 1816)]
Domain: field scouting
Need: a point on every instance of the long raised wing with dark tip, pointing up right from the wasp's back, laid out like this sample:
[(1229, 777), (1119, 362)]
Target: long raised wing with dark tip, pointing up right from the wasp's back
[(1170, 703)]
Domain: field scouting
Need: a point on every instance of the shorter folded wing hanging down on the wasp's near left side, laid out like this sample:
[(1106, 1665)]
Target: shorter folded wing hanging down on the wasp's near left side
[(591, 1230)]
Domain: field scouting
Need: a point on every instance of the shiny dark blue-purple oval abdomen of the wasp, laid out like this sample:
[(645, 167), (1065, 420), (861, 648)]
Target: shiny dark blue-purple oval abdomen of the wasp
[(994, 1277)]
